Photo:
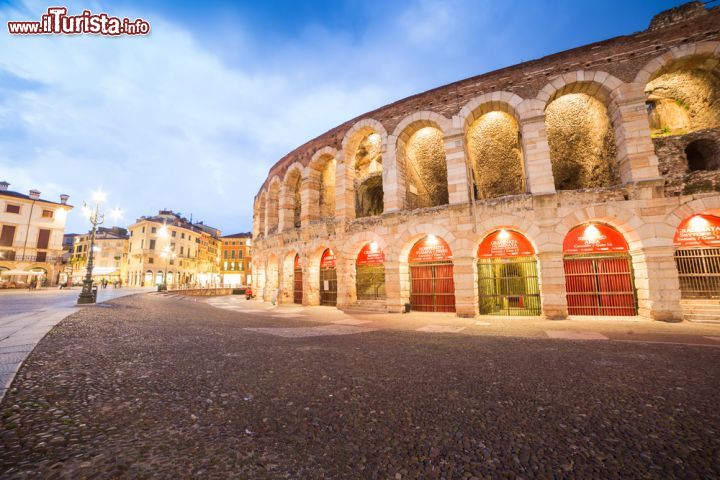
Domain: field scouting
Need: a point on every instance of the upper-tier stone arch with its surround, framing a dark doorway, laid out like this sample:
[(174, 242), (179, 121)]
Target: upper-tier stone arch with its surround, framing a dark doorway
[(361, 175)]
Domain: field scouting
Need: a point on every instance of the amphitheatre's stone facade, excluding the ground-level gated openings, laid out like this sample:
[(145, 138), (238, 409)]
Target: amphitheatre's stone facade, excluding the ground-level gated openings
[(628, 186)]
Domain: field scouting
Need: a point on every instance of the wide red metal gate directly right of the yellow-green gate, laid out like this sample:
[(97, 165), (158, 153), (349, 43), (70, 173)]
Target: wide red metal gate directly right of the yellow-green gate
[(600, 285)]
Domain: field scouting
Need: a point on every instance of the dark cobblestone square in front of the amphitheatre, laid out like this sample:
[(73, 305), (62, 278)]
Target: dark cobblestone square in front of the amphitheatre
[(176, 388)]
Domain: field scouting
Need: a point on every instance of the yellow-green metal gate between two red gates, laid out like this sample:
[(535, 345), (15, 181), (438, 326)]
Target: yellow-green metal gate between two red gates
[(508, 286)]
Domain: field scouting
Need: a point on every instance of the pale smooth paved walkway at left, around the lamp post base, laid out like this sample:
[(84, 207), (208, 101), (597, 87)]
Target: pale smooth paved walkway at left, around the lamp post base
[(25, 318)]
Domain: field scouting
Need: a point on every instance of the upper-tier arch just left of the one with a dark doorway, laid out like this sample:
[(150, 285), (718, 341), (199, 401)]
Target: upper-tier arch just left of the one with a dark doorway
[(321, 178)]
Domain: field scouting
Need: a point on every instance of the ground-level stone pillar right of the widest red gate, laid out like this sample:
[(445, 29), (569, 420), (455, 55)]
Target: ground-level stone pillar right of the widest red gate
[(657, 283)]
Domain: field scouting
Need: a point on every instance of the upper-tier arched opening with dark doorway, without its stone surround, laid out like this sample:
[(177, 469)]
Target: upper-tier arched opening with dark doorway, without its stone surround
[(367, 179)]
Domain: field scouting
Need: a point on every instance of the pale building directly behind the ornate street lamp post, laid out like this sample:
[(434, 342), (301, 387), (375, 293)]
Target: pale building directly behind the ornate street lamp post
[(110, 259)]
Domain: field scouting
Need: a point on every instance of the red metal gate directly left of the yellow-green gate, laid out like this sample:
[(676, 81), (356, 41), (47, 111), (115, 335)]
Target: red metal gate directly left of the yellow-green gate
[(432, 287)]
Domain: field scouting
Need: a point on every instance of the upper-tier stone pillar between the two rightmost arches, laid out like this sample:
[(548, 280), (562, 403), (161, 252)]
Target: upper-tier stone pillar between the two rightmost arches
[(635, 150)]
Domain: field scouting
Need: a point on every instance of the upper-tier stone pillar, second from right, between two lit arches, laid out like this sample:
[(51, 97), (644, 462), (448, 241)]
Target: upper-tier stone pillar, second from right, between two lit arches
[(536, 154)]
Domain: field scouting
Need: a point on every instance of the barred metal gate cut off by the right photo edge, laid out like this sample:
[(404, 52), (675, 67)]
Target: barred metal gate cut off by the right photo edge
[(699, 272)]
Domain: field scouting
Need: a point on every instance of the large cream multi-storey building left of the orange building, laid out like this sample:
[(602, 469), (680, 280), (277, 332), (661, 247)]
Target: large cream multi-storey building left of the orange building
[(169, 246)]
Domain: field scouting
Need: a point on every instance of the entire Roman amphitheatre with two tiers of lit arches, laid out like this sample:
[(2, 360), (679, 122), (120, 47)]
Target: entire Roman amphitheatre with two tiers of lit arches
[(583, 183)]
